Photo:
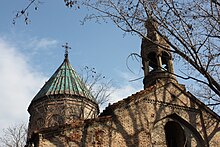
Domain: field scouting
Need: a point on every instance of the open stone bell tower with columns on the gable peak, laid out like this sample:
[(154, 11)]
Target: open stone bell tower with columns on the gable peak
[(156, 57)]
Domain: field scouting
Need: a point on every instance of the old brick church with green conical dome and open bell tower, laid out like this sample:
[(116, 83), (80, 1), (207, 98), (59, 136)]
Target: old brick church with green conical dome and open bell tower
[(65, 114)]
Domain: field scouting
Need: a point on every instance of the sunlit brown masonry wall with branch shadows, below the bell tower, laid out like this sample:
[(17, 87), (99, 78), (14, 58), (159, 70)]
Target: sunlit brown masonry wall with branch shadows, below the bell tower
[(140, 120)]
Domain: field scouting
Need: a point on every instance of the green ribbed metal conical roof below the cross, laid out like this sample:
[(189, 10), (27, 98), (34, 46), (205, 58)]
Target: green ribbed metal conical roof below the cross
[(65, 81)]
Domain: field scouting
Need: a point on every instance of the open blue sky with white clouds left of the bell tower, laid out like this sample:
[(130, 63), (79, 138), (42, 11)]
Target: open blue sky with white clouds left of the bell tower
[(30, 54)]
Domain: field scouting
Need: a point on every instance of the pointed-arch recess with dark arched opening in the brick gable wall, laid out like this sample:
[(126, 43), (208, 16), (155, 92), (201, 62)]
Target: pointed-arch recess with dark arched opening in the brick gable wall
[(179, 129)]
